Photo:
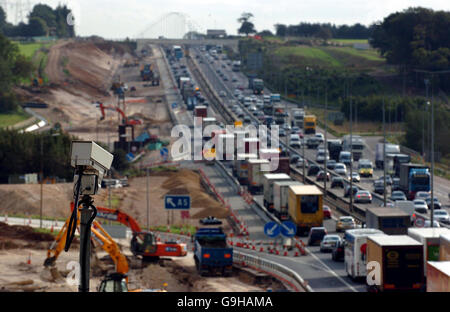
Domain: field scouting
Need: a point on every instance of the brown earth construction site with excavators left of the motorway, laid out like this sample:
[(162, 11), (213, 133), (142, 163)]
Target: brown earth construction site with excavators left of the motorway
[(97, 93)]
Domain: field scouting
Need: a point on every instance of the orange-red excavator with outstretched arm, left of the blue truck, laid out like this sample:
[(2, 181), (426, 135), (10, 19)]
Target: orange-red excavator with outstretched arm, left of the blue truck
[(143, 243)]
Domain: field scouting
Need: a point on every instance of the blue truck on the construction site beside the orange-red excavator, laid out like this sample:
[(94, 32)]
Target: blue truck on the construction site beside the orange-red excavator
[(211, 252)]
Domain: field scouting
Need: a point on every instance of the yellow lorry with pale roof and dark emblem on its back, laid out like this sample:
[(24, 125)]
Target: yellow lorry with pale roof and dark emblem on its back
[(305, 207)]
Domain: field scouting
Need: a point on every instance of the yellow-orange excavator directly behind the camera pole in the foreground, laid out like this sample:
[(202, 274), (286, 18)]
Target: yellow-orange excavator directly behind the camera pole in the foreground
[(114, 282)]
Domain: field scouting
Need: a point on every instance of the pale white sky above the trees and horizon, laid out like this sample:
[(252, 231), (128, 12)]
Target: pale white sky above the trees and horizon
[(115, 19)]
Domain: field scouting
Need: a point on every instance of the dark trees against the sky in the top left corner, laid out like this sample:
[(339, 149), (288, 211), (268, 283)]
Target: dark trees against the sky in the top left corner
[(42, 21)]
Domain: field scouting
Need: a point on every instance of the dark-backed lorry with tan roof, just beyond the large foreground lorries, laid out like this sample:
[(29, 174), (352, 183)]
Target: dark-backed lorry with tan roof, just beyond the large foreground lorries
[(391, 221)]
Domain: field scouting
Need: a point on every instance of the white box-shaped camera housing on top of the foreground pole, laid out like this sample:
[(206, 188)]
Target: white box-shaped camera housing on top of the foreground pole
[(92, 162)]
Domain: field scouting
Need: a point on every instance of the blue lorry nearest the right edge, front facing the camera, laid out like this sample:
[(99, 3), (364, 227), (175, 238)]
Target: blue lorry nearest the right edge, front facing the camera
[(414, 178)]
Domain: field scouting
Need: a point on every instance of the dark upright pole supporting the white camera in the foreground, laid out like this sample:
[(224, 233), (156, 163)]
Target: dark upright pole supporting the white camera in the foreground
[(88, 213)]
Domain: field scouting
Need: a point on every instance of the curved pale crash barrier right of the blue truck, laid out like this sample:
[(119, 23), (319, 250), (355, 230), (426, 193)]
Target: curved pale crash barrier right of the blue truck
[(294, 281)]
